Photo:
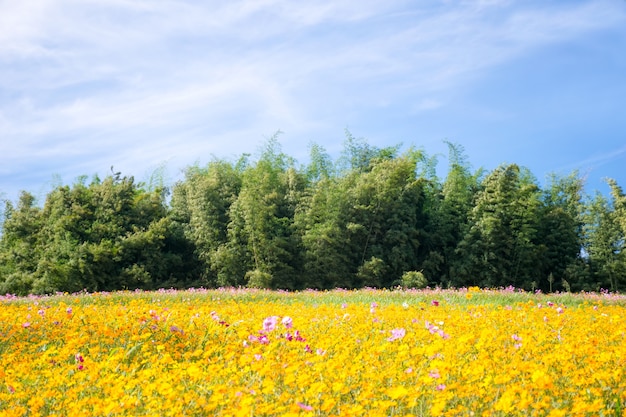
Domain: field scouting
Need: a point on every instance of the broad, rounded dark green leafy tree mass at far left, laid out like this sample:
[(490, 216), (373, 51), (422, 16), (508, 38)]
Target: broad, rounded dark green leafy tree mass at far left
[(106, 236)]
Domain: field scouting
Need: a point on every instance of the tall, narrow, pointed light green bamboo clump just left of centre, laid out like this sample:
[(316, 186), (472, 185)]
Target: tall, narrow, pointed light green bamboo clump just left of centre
[(260, 232)]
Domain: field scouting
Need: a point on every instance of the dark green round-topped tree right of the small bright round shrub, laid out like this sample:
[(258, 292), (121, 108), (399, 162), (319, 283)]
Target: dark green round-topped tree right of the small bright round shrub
[(499, 248)]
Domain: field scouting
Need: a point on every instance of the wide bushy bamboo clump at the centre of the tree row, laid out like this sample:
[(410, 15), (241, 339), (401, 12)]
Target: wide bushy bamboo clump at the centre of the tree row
[(360, 228)]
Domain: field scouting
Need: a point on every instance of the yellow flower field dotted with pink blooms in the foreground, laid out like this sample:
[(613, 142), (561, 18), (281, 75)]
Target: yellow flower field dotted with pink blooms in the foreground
[(236, 352)]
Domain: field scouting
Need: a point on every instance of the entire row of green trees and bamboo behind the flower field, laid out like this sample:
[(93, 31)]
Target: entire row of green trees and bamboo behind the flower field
[(374, 217)]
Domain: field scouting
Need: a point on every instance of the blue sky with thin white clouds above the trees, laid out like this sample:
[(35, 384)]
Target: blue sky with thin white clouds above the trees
[(86, 84)]
